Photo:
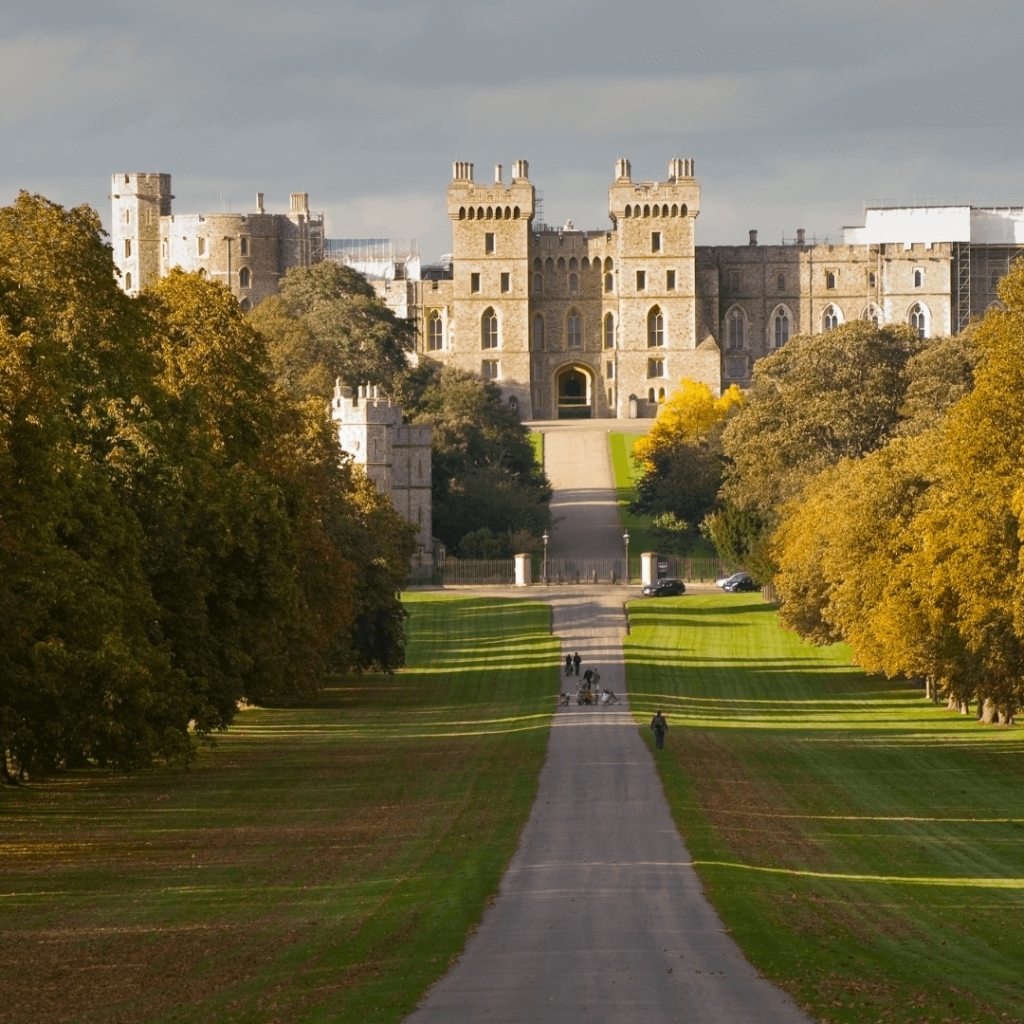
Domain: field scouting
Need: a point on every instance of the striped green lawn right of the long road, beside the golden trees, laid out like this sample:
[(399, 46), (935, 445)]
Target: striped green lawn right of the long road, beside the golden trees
[(866, 848)]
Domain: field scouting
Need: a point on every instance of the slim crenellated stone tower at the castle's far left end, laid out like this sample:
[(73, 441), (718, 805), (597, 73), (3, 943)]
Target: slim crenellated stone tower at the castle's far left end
[(139, 201)]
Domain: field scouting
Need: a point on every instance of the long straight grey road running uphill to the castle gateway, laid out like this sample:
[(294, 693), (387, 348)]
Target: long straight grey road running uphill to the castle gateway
[(601, 917)]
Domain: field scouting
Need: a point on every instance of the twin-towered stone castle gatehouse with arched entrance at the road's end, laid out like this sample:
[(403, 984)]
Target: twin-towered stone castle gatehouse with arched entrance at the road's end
[(572, 324)]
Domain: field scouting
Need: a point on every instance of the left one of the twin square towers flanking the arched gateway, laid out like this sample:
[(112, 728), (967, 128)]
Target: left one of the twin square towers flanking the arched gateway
[(488, 326)]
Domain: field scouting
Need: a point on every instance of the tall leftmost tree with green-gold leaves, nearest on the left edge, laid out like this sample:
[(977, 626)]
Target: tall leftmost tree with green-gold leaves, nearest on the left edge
[(83, 670)]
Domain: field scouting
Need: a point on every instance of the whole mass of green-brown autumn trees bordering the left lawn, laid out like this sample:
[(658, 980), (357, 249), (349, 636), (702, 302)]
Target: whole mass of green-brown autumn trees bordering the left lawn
[(177, 534)]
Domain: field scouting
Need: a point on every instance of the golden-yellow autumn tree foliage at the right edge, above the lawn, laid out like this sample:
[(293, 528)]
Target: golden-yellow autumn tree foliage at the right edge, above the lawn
[(913, 553)]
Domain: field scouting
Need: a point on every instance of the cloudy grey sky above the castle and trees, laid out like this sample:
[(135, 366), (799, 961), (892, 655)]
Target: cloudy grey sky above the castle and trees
[(797, 114)]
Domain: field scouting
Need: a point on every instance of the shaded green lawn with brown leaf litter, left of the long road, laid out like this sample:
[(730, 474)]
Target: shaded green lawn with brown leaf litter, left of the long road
[(320, 865)]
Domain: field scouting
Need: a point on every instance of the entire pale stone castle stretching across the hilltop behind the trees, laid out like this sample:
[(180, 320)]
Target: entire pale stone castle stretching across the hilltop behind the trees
[(599, 323)]
